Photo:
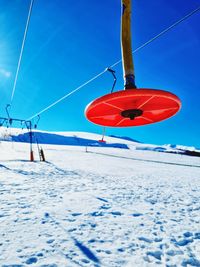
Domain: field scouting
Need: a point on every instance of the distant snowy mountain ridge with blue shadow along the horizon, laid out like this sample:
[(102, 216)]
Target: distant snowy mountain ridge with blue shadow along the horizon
[(91, 139)]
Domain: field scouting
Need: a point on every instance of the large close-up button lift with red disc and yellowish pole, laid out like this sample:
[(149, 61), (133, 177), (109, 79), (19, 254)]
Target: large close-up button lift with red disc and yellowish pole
[(132, 106)]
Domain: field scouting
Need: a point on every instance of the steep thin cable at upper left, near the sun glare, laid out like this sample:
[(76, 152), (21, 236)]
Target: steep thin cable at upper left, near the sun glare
[(21, 52)]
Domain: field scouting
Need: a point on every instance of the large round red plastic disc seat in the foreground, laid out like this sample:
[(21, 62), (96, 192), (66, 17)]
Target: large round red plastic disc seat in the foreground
[(132, 107)]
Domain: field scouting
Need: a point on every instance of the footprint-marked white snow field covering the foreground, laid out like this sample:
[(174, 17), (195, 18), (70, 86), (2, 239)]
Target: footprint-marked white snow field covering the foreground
[(105, 207)]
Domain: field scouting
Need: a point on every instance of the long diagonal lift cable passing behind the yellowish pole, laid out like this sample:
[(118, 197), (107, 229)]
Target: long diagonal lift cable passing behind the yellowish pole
[(116, 63)]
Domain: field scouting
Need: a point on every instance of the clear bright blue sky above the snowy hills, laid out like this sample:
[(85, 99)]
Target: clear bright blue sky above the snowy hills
[(69, 42)]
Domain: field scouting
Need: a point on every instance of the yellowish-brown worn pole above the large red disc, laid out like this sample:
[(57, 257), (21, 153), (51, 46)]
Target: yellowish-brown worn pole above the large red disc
[(126, 47)]
